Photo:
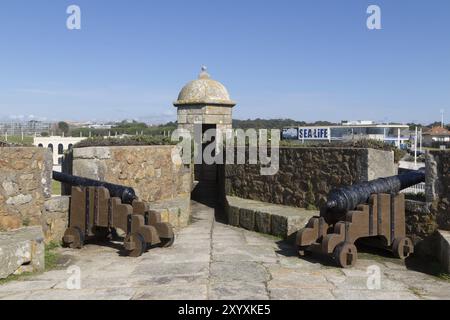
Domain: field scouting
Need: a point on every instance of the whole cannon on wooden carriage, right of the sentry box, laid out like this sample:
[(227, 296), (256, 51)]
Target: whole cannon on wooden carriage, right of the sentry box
[(373, 209)]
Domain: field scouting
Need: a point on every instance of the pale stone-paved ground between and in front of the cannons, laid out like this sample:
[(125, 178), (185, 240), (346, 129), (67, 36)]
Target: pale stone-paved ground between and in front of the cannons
[(210, 260)]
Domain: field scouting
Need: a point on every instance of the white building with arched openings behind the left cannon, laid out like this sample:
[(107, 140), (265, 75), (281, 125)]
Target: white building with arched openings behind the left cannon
[(58, 145)]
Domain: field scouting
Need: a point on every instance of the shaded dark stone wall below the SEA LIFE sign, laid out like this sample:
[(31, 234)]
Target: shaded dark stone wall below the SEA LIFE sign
[(307, 175)]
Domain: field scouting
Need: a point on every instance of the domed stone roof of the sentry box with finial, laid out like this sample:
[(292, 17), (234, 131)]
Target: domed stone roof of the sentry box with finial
[(204, 90)]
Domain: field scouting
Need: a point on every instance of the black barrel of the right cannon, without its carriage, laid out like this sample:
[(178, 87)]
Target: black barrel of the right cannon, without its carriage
[(348, 198)]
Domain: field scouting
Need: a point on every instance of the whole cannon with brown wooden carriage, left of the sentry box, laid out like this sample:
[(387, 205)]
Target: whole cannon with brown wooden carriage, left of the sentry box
[(97, 208)]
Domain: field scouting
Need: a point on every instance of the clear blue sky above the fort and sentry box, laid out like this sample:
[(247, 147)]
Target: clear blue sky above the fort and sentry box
[(307, 60)]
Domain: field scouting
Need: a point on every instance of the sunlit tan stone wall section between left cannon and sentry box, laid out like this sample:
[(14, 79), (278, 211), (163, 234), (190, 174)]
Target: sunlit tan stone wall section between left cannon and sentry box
[(149, 170)]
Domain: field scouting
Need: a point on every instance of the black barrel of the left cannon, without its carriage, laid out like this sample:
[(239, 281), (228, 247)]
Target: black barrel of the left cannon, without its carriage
[(127, 194)]
